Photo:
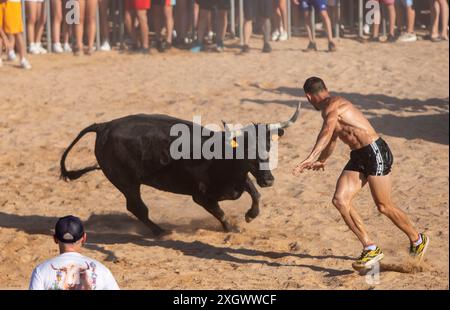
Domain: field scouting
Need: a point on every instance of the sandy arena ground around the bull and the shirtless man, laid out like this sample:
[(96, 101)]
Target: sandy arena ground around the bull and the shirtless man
[(299, 241)]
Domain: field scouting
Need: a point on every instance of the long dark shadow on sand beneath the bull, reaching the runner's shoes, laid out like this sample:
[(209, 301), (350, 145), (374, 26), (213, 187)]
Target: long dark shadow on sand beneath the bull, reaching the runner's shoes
[(97, 227)]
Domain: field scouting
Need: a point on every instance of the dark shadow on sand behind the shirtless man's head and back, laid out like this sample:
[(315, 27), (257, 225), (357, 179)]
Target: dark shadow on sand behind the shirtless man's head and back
[(429, 127)]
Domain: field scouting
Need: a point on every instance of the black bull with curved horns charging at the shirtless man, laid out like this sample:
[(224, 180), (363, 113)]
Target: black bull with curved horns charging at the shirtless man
[(135, 150)]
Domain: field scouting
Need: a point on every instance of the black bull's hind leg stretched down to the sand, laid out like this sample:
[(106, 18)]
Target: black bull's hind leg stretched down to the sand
[(136, 206)]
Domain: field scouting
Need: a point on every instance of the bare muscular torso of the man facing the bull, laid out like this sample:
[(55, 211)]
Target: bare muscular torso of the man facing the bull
[(352, 127)]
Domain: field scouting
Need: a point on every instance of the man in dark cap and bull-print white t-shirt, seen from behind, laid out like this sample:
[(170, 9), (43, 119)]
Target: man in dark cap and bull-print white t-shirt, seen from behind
[(71, 270)]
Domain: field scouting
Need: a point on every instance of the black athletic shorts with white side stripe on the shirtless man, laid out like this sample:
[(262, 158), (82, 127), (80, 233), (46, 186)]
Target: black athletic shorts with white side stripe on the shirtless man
[(374, 159)]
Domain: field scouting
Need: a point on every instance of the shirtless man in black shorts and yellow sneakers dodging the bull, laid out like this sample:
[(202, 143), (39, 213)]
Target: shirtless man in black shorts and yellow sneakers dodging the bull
[(370, 162)]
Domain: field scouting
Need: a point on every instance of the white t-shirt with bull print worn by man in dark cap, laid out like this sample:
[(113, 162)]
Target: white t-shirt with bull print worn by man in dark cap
[(72, 271)]
